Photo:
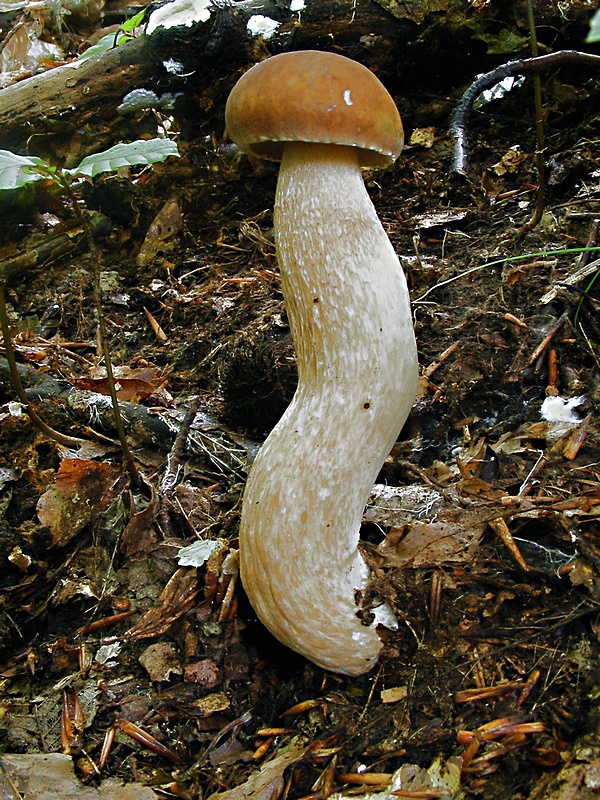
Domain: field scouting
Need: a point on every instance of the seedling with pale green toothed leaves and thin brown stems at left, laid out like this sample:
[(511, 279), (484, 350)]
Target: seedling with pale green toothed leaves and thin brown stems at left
[(17, 171)]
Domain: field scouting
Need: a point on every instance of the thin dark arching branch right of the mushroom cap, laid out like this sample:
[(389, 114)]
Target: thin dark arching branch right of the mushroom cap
[(458, 124)]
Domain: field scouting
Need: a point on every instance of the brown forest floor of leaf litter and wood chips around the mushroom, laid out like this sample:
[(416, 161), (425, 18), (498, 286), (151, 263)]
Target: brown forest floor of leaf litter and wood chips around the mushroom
[(485, 536)]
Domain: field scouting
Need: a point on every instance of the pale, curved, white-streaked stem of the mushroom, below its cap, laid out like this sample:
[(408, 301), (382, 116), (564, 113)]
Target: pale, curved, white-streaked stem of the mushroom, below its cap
[(349, 313)]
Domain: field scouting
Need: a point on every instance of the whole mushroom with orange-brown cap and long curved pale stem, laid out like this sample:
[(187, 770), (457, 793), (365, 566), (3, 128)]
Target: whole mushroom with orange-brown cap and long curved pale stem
[(324, 116)]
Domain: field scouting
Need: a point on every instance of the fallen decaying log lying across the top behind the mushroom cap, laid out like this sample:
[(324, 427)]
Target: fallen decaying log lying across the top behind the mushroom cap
[(70, 111)]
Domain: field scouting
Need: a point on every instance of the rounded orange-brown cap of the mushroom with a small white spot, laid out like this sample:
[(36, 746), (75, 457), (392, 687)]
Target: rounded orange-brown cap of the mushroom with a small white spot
[(313, 96)]
